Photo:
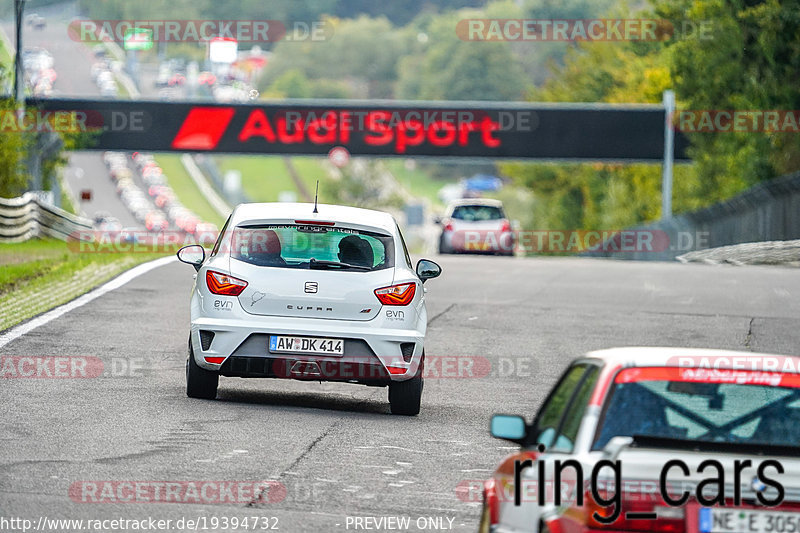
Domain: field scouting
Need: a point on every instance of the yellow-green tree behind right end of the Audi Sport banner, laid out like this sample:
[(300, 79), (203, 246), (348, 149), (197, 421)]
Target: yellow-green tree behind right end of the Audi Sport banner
[(602, 195)]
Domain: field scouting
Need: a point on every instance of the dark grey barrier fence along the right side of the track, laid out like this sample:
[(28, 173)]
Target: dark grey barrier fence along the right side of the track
[(769, 211)]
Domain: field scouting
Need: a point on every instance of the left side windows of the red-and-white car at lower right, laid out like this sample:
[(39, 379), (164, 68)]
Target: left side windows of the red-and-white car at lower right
[(548, 420)]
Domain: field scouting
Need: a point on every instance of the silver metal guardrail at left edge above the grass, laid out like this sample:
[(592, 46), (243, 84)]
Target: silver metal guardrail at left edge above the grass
[(26, 217)]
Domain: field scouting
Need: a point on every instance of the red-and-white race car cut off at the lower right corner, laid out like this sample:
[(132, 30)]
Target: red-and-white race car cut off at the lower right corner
[(655, 439)]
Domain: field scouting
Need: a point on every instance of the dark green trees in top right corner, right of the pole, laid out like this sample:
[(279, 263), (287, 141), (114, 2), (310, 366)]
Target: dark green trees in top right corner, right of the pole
[(749, 62)]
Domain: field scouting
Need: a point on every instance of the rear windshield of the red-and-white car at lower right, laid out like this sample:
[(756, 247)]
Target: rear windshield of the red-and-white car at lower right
[(737, 412)]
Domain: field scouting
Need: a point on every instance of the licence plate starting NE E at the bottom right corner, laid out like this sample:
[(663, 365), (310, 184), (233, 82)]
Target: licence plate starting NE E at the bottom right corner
[(747, 521)]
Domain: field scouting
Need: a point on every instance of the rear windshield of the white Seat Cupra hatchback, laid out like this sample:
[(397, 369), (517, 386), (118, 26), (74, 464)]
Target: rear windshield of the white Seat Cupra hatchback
[(312, 247)]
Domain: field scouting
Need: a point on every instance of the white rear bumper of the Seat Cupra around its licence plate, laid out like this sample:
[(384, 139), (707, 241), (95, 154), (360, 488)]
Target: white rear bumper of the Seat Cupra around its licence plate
[(368, 351)]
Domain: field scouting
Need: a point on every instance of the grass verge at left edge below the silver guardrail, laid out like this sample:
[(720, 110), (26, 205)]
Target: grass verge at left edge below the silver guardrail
[(40, 274)]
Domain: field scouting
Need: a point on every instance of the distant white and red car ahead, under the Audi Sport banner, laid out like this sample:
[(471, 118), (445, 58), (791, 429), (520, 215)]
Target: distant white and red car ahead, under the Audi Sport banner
[(476, 225)]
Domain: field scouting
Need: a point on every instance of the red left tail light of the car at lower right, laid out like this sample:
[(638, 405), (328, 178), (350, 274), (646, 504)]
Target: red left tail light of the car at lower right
[(633, 517)]
